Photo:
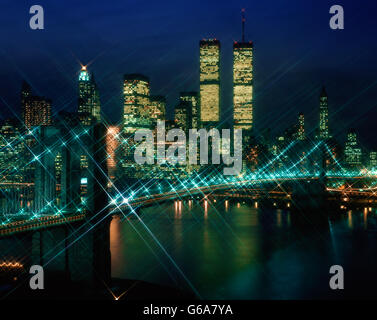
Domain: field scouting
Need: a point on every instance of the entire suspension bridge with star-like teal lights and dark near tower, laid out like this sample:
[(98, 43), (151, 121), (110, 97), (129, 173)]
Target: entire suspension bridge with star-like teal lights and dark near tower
[(64, 225)]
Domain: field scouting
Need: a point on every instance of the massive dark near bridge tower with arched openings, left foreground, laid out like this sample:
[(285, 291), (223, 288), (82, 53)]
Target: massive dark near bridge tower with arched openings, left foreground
[(80, 250)]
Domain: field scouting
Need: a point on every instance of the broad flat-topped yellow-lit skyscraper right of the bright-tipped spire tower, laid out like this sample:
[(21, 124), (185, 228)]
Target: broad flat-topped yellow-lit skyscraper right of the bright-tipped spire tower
[(137, 105)]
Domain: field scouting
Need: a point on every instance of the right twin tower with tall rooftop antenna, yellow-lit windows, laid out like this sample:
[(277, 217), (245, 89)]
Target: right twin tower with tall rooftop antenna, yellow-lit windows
[(243, 82)]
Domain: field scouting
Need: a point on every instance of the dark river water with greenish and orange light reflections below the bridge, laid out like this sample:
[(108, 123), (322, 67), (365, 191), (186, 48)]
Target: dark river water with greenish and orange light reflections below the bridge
[(236, 250)]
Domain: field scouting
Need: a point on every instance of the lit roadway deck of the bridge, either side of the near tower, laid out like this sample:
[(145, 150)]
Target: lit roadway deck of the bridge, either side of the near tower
[(267, 187)]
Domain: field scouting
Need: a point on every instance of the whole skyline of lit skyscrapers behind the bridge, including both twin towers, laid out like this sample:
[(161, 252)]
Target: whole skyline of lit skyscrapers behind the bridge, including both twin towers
[(194, 109)]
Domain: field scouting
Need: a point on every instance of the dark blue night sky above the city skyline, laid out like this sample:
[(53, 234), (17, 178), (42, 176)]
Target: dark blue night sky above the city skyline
[(295, 53)]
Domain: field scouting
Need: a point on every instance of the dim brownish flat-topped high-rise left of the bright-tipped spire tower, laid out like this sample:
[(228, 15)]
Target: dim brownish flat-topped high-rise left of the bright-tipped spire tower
[(37, 111)]
